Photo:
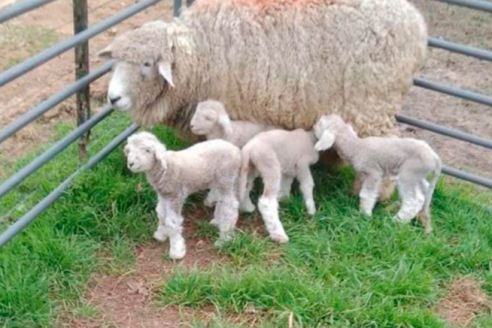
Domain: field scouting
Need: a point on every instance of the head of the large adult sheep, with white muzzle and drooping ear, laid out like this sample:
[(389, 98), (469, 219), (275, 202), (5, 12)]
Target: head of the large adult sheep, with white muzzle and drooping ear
[(143, 68)]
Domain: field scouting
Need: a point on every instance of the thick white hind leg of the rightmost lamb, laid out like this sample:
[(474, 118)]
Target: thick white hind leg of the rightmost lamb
[(412, 200)]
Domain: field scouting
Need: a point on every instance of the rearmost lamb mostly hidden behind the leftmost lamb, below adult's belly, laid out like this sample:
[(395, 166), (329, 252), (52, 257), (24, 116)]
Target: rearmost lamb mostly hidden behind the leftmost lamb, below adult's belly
[(212, 121)]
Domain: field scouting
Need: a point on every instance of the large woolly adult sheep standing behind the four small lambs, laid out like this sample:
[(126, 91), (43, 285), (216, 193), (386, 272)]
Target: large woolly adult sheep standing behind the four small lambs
[(278, 62)]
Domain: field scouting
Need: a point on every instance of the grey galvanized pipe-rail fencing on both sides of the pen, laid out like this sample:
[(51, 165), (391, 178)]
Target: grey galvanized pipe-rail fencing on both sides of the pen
[(79, 85)]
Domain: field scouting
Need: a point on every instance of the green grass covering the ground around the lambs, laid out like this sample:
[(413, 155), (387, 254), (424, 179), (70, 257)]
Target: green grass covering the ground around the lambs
[(339, 269)]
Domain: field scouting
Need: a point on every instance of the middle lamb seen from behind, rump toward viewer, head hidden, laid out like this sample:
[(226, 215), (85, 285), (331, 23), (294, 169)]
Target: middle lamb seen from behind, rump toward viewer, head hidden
[(279, 157)]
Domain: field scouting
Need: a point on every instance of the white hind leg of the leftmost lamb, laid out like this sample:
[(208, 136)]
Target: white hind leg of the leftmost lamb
[(226, 214)]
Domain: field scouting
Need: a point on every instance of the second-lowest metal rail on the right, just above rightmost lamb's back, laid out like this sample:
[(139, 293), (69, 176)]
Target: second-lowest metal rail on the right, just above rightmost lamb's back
[(487, 143)]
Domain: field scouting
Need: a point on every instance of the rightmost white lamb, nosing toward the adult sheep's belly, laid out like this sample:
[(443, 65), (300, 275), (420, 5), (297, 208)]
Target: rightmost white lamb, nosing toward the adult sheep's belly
[(407, 159)]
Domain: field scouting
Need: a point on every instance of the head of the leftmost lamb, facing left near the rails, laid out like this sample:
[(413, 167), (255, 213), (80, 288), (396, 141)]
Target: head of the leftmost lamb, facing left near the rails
[(142, 151)]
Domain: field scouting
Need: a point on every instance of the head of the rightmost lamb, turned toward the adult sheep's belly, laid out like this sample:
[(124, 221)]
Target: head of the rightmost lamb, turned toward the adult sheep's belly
[(327, 128)]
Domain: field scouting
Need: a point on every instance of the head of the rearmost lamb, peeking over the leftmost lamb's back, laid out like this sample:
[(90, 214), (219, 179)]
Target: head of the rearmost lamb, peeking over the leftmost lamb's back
[(210, 115)]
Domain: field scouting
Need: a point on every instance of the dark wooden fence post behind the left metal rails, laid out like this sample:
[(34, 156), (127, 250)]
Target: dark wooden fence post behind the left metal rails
[(80, 22)]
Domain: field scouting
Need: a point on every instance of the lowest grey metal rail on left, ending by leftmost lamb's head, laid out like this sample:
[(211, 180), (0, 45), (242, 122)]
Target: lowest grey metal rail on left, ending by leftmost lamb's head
[(30, 216)]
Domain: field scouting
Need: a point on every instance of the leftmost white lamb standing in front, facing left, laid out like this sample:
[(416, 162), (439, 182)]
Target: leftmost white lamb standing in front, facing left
[(175, 175)]
